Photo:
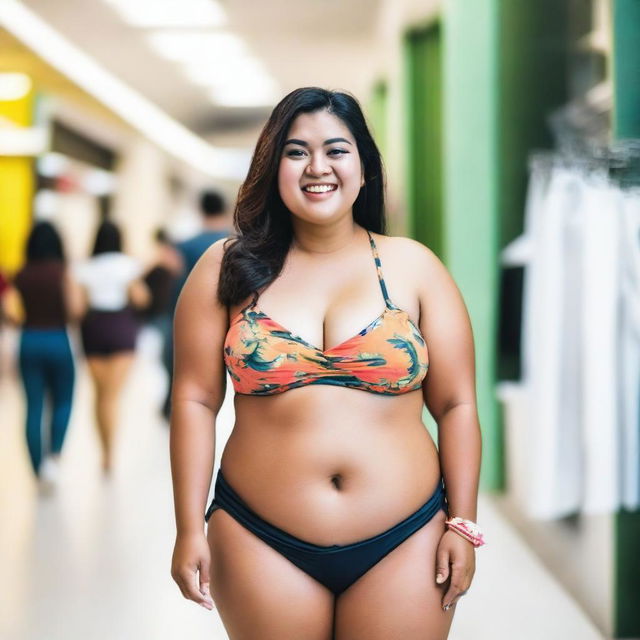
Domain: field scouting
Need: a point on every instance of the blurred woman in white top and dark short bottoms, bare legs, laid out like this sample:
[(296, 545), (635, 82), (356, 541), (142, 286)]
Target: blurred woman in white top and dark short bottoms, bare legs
[(112, 284)]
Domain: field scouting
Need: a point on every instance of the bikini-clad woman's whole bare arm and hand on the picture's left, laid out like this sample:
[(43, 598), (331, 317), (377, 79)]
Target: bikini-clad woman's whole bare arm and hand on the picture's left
[(198, 391)]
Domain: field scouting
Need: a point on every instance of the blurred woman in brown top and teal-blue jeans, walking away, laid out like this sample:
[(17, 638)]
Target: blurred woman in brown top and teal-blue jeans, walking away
[(48, 298)]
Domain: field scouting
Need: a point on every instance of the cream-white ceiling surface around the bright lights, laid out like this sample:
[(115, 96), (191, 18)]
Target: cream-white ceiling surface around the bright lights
[(301, 42)]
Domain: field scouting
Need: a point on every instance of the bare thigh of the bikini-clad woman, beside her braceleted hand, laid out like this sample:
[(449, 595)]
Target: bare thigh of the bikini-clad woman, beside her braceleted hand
[(398, 598)]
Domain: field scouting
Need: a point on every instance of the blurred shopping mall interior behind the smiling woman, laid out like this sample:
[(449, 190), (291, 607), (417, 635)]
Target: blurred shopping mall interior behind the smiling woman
[(510, 133)]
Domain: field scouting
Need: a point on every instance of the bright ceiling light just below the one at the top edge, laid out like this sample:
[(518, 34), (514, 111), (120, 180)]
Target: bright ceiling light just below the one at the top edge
[(193, 46)]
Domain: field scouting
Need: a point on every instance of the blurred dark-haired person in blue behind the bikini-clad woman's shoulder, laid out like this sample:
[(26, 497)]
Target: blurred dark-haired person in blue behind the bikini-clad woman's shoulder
[(215, 226)]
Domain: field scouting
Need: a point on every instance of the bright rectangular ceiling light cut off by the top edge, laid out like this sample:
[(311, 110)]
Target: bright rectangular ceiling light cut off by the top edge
[(170, 13)]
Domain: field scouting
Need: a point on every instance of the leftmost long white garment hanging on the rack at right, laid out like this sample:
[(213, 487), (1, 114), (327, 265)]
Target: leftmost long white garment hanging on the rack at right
[(555, 471)]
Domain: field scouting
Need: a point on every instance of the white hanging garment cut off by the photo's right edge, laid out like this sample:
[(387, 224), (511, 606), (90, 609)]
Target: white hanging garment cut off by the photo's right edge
[(629, 350)]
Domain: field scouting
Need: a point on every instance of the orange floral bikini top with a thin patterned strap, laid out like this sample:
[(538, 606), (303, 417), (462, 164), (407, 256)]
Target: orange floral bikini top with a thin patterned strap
[(389, 356)]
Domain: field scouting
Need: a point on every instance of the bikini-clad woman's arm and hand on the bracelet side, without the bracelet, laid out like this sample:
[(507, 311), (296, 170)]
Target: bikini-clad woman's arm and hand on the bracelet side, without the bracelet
[(450, 395)]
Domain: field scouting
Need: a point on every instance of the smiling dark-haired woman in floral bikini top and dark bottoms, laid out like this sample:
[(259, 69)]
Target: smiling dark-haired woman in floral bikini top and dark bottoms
[(329, 511)]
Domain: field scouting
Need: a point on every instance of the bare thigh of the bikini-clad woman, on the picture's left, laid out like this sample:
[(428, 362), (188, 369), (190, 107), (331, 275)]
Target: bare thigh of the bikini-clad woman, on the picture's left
[(259, 594)]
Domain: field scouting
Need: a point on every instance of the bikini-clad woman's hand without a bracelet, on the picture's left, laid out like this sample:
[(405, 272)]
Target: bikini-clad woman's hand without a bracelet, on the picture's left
[(190, 568)]
